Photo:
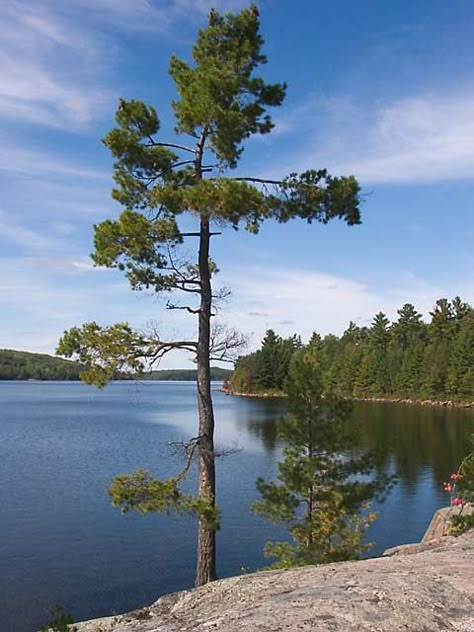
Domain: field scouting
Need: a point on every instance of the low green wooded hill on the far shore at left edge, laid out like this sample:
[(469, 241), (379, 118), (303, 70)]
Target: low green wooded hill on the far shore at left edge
[(21, 365)]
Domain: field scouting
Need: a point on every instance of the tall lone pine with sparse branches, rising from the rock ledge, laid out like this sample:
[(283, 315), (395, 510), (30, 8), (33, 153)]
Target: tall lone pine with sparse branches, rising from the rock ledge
[(221, 103)]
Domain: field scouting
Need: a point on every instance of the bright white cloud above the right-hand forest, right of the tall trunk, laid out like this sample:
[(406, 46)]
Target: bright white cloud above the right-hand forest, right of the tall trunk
[(294, 300)]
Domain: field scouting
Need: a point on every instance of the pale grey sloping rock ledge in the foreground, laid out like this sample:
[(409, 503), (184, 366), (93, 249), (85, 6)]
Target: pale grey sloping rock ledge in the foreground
[(421, 587)]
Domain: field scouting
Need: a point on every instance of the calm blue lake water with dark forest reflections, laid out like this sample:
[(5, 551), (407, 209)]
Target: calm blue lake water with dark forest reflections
[(60, 444)]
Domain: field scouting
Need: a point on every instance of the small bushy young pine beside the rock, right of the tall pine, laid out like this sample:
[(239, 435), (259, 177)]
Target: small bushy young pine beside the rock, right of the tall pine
[(323, 489)]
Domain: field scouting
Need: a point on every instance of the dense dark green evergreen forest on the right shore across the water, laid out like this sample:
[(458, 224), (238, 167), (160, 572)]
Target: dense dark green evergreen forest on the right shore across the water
[(408, 358)]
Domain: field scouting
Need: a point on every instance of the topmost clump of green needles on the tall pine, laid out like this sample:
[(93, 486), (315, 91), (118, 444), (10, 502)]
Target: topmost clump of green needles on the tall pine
[(219, 91)]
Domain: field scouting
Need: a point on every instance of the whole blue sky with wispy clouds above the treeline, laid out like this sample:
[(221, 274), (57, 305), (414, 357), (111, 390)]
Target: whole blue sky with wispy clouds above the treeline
[(383, 90)]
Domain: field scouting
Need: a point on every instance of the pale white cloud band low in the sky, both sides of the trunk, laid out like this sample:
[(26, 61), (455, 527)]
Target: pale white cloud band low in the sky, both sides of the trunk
[(47, 295)]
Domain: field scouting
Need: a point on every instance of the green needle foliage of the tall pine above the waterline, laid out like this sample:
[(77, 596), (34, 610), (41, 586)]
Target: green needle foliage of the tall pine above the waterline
[(221, 103)]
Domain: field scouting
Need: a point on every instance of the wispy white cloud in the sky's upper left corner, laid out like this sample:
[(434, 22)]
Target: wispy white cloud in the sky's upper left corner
[(49, 67)]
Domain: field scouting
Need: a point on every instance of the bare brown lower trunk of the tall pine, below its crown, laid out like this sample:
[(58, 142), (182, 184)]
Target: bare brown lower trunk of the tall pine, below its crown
[(206, 552)]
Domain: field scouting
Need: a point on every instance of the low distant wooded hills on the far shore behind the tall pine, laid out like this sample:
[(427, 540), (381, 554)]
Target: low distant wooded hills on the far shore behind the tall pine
[(22, 365)]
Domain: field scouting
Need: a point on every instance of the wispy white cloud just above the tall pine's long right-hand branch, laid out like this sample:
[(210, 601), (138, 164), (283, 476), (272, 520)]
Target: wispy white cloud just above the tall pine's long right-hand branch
[(424, 138)]
